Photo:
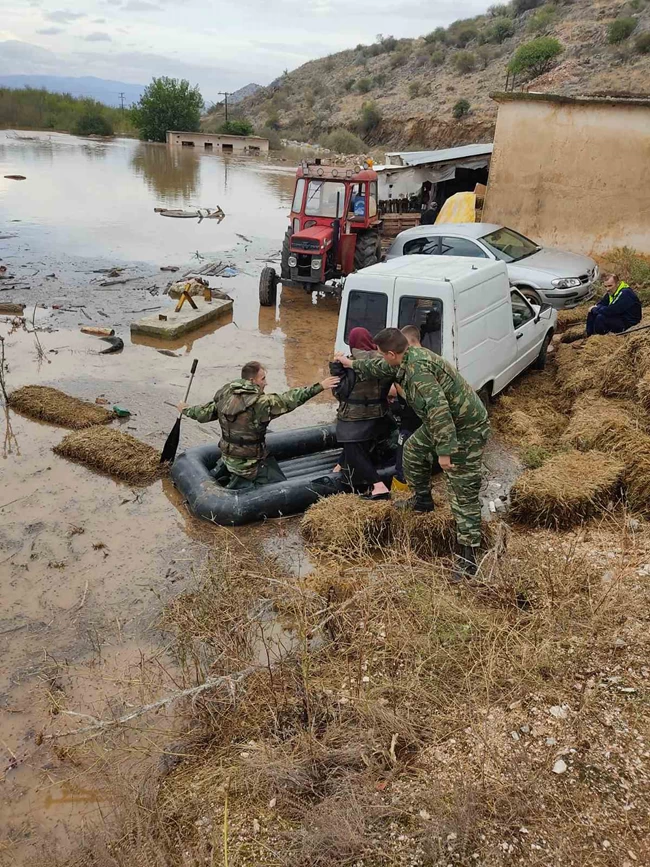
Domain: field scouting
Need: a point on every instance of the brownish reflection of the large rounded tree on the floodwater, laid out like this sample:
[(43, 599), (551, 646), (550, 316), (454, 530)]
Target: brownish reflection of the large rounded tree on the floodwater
[(169, 172)]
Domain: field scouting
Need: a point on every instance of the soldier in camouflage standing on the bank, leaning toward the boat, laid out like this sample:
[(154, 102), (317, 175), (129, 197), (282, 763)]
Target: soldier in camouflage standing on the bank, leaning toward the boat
[(454, 429)]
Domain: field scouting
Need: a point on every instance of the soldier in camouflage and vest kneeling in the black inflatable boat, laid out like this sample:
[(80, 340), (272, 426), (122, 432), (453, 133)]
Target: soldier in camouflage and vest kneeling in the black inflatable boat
[(244, 412)]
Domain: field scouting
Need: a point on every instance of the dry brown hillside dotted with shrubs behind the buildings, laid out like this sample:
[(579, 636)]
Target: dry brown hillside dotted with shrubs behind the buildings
[(414, 84)]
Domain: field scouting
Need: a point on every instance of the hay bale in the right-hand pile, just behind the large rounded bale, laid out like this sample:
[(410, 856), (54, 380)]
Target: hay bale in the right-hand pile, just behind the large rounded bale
[(598, 423)]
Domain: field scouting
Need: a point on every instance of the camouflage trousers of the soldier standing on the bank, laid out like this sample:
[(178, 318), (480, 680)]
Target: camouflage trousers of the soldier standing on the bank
[(463, 480)]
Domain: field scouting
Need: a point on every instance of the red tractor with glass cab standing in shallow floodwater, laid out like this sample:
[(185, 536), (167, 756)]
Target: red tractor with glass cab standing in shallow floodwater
[(333, 231)]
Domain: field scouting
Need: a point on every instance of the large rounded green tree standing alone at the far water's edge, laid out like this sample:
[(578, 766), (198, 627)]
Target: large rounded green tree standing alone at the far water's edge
[(168, 103)]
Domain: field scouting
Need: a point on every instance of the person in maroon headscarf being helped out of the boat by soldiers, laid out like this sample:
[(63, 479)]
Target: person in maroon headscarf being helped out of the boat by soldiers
[(362, 418)]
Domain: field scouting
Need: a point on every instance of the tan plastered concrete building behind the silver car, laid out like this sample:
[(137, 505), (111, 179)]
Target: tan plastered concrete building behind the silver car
[(572, 172)]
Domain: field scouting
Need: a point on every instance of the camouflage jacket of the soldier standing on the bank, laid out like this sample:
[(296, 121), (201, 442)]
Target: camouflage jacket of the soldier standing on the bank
[(445, 402)]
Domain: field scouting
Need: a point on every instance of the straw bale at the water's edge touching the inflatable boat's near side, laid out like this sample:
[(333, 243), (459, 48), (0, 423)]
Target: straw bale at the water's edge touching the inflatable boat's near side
[(346, 525)]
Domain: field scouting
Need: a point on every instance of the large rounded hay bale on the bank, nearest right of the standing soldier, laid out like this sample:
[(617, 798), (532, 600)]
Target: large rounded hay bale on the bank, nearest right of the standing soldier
[(566, 490)]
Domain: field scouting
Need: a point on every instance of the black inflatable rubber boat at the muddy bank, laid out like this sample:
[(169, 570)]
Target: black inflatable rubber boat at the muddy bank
[(306, 457)]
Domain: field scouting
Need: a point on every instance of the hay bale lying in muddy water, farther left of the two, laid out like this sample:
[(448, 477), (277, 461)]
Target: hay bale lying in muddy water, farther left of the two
[(52, 405)]
